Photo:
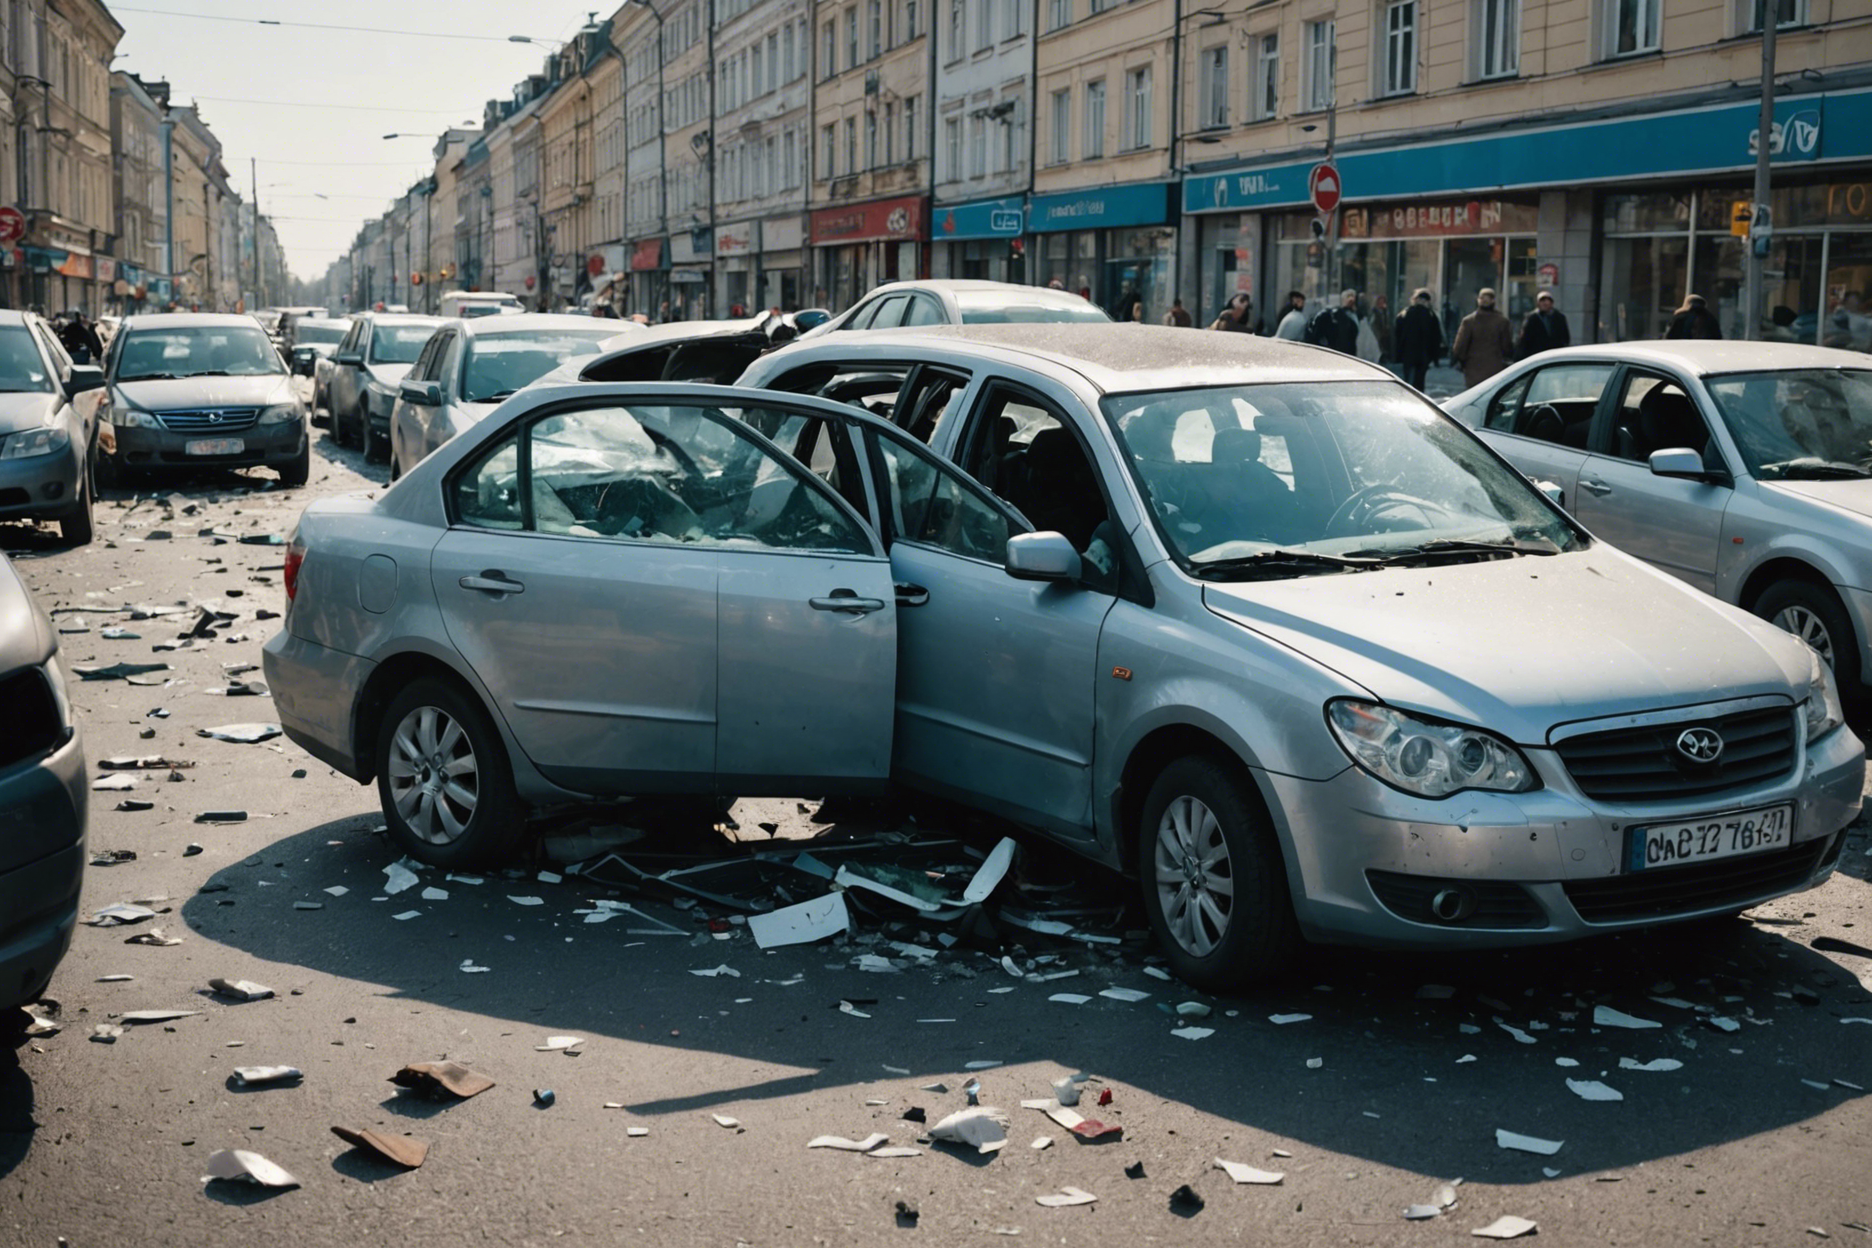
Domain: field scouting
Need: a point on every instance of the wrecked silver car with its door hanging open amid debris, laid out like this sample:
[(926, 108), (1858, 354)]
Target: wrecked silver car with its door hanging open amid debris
[(1248, 618)]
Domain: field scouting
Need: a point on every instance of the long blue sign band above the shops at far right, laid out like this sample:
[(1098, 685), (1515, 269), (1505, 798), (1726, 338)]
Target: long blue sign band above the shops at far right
[(1691, 141)]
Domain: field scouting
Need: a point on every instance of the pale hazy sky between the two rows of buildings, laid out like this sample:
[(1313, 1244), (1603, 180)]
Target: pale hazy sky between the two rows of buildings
[(314, 106)]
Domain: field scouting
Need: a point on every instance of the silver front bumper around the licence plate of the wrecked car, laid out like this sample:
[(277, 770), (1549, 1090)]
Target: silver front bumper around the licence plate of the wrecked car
[(1366, 862)]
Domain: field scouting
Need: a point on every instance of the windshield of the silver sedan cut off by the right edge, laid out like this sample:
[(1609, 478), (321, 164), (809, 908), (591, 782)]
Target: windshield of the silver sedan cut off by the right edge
[(1800, 424)]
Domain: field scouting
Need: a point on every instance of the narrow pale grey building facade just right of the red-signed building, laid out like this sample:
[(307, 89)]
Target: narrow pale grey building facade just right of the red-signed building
[(984, 149)]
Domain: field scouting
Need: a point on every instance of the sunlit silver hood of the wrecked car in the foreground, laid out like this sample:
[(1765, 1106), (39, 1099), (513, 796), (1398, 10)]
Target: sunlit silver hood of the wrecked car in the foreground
[(1521, 646)]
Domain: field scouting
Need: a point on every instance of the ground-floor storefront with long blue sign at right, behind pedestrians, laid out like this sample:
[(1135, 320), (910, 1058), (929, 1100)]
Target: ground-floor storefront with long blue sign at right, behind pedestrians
[(1568, 207)]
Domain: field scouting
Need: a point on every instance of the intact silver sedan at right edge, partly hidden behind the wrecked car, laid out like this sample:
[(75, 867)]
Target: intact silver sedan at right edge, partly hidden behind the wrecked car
[(1744, 469)]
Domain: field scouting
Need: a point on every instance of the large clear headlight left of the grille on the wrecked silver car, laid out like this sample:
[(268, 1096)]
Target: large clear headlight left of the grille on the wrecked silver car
[(1424, 757)]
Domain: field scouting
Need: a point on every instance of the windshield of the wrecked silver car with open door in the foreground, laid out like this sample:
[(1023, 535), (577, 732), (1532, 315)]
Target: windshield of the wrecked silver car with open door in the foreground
[(1255, 482)]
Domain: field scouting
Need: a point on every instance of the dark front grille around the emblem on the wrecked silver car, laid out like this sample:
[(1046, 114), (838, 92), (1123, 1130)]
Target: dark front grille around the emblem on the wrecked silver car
[(1643, 764)]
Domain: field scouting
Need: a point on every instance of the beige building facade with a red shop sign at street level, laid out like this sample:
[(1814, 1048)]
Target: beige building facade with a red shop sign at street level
[(870, 210)]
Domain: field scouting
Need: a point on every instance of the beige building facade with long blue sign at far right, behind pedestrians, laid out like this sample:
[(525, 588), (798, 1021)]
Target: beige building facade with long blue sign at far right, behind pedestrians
[(1588, 147)]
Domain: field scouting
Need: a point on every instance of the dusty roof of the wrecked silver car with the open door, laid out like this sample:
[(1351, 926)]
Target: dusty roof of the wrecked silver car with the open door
[(1119, 356)]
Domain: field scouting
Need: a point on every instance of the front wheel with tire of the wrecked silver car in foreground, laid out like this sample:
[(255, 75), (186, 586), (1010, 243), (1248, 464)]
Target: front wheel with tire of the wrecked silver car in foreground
[(1214, 880)]
